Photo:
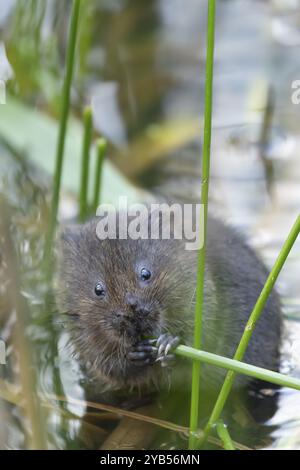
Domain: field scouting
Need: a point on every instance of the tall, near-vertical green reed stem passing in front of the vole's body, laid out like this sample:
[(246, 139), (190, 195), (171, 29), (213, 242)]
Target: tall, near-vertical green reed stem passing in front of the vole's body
[(194, 413)]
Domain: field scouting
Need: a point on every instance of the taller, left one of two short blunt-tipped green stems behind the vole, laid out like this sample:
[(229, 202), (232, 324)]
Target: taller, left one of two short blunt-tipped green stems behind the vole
[(85, 163)]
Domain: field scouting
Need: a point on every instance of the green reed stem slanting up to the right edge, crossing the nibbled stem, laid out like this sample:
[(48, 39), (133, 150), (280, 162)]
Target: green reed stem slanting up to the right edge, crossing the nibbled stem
[(254, 317)]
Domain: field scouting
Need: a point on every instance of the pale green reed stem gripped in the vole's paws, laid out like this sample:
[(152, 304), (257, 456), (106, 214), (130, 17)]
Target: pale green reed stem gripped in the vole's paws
[(238, 367)]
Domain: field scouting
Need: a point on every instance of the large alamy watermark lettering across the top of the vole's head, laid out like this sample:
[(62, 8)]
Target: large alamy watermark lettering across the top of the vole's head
[(154, 221)]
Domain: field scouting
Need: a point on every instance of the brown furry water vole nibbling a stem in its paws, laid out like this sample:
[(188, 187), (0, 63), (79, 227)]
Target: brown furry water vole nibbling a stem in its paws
[(119, 293)]
